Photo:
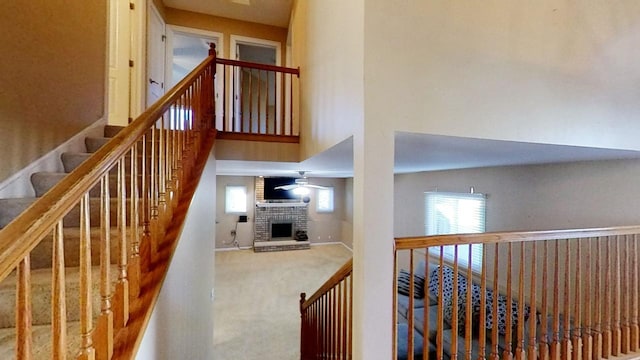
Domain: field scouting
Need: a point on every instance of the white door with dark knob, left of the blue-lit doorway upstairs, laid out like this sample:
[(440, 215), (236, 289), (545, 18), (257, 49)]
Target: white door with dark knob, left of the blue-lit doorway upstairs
[(156, 57)]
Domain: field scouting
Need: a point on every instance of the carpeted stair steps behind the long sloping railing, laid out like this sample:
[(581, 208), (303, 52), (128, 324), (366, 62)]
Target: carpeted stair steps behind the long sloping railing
[(41, 260)]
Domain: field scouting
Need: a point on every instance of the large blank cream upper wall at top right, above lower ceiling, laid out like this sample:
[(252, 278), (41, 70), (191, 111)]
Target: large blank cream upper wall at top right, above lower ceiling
[(552, 71)]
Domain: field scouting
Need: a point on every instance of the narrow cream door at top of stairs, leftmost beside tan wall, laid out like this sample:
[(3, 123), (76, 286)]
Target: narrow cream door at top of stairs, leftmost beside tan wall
[(119, 38)]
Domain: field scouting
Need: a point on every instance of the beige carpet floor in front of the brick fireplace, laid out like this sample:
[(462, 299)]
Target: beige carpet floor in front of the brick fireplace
[(256, 304)]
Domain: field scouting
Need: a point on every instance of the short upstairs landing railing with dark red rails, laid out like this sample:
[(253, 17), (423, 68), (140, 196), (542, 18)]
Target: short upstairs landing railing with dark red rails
[(256, 100)]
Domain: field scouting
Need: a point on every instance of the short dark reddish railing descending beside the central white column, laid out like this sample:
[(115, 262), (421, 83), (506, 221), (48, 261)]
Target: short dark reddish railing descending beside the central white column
[(326, 318)]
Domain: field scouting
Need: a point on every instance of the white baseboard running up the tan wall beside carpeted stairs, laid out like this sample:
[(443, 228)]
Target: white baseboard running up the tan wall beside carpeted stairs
[(19, 184)]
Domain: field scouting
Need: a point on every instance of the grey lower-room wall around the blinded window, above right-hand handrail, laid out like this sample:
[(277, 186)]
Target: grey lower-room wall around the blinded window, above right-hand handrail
[(538, 197)]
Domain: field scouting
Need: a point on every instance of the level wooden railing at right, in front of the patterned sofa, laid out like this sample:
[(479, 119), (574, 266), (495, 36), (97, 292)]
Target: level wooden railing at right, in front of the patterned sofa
[(570, 294)]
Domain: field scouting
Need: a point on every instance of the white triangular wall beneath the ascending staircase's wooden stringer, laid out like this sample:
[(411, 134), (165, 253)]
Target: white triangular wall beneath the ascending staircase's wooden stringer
[(181, 326)]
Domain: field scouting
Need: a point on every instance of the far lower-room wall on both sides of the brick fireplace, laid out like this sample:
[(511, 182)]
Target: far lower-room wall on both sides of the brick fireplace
[(322, 227)]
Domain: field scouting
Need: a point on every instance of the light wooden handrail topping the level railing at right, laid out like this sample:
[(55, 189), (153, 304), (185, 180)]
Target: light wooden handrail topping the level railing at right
[(416, 242)]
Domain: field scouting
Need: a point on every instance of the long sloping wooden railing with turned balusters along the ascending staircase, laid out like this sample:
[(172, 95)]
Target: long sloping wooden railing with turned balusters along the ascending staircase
[(150, 167)]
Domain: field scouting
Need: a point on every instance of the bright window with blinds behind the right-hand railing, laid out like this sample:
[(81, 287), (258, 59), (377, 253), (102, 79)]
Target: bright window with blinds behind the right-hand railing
[(456, 213)]
